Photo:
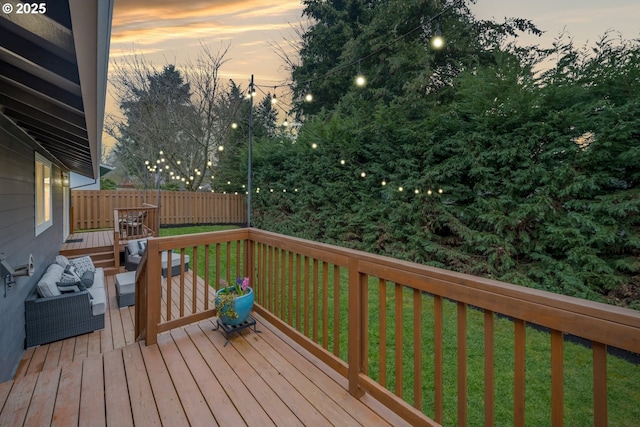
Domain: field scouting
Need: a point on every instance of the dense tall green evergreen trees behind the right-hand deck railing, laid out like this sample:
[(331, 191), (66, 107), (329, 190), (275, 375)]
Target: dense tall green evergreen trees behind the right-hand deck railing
[(526, 178)]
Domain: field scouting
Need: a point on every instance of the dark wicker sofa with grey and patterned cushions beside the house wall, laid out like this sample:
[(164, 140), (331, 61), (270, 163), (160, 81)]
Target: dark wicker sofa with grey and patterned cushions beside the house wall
[(51, 315)]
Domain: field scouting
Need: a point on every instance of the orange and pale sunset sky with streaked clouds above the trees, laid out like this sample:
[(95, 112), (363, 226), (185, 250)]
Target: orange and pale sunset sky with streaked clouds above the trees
[(171, 31)]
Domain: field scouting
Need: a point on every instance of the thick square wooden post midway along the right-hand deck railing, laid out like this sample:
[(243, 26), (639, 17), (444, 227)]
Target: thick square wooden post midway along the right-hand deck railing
[(355, 330)]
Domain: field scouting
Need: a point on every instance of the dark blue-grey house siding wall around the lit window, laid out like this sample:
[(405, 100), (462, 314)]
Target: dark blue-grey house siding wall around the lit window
[(17, 237)]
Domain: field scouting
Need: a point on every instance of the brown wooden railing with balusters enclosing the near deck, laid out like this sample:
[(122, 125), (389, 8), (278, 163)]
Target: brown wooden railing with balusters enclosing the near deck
[(362, 314)]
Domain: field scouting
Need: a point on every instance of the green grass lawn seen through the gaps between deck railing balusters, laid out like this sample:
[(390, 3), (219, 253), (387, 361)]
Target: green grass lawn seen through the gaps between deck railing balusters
[(308, 298)]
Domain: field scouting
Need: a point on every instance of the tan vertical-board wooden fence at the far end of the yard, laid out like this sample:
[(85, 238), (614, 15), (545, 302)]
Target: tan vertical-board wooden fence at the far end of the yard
[(93, 209)]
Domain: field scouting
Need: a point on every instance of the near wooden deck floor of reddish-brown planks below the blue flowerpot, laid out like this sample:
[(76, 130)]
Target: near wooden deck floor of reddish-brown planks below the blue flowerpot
[(189, 378)]
